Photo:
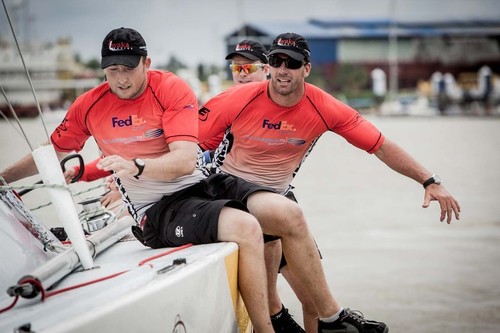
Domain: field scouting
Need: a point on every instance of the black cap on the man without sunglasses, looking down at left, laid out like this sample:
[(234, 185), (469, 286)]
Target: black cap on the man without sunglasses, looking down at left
[(123, 46)]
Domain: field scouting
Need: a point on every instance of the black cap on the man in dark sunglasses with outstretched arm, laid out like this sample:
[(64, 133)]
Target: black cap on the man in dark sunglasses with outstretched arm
[(291, 44)]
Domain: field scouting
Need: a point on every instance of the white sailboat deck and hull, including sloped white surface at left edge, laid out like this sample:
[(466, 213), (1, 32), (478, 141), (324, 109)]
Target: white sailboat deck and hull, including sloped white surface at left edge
[(200, 295)]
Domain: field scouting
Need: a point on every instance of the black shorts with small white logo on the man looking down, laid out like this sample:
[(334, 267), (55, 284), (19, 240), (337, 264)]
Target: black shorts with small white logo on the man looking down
[(192, 215)]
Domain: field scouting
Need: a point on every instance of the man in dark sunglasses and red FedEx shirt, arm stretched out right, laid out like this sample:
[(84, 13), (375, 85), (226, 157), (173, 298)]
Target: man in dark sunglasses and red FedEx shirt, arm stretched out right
[(271, 127)]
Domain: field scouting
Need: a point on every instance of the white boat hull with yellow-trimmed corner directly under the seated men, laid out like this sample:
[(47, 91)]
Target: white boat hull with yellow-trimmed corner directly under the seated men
[(200, 296)]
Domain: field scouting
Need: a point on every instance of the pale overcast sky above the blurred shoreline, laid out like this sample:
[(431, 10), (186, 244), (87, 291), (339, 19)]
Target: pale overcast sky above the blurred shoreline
[(194, 30)]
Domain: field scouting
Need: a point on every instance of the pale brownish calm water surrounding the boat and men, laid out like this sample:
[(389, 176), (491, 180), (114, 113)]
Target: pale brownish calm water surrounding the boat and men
[(383, 253)]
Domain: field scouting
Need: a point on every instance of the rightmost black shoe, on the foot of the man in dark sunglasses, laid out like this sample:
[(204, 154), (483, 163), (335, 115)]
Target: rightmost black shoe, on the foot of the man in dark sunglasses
[(352, 321)]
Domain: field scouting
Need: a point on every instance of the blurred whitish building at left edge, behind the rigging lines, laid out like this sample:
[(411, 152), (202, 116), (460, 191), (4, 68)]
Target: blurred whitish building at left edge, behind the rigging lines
[(56, 77)]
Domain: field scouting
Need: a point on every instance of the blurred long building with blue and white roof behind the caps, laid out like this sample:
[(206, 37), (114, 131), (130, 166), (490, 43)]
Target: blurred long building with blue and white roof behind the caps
[(416, 49)]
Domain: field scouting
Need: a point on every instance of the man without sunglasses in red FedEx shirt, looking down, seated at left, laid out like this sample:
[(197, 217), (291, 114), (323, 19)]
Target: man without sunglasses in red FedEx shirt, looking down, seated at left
[(145, 123)]
